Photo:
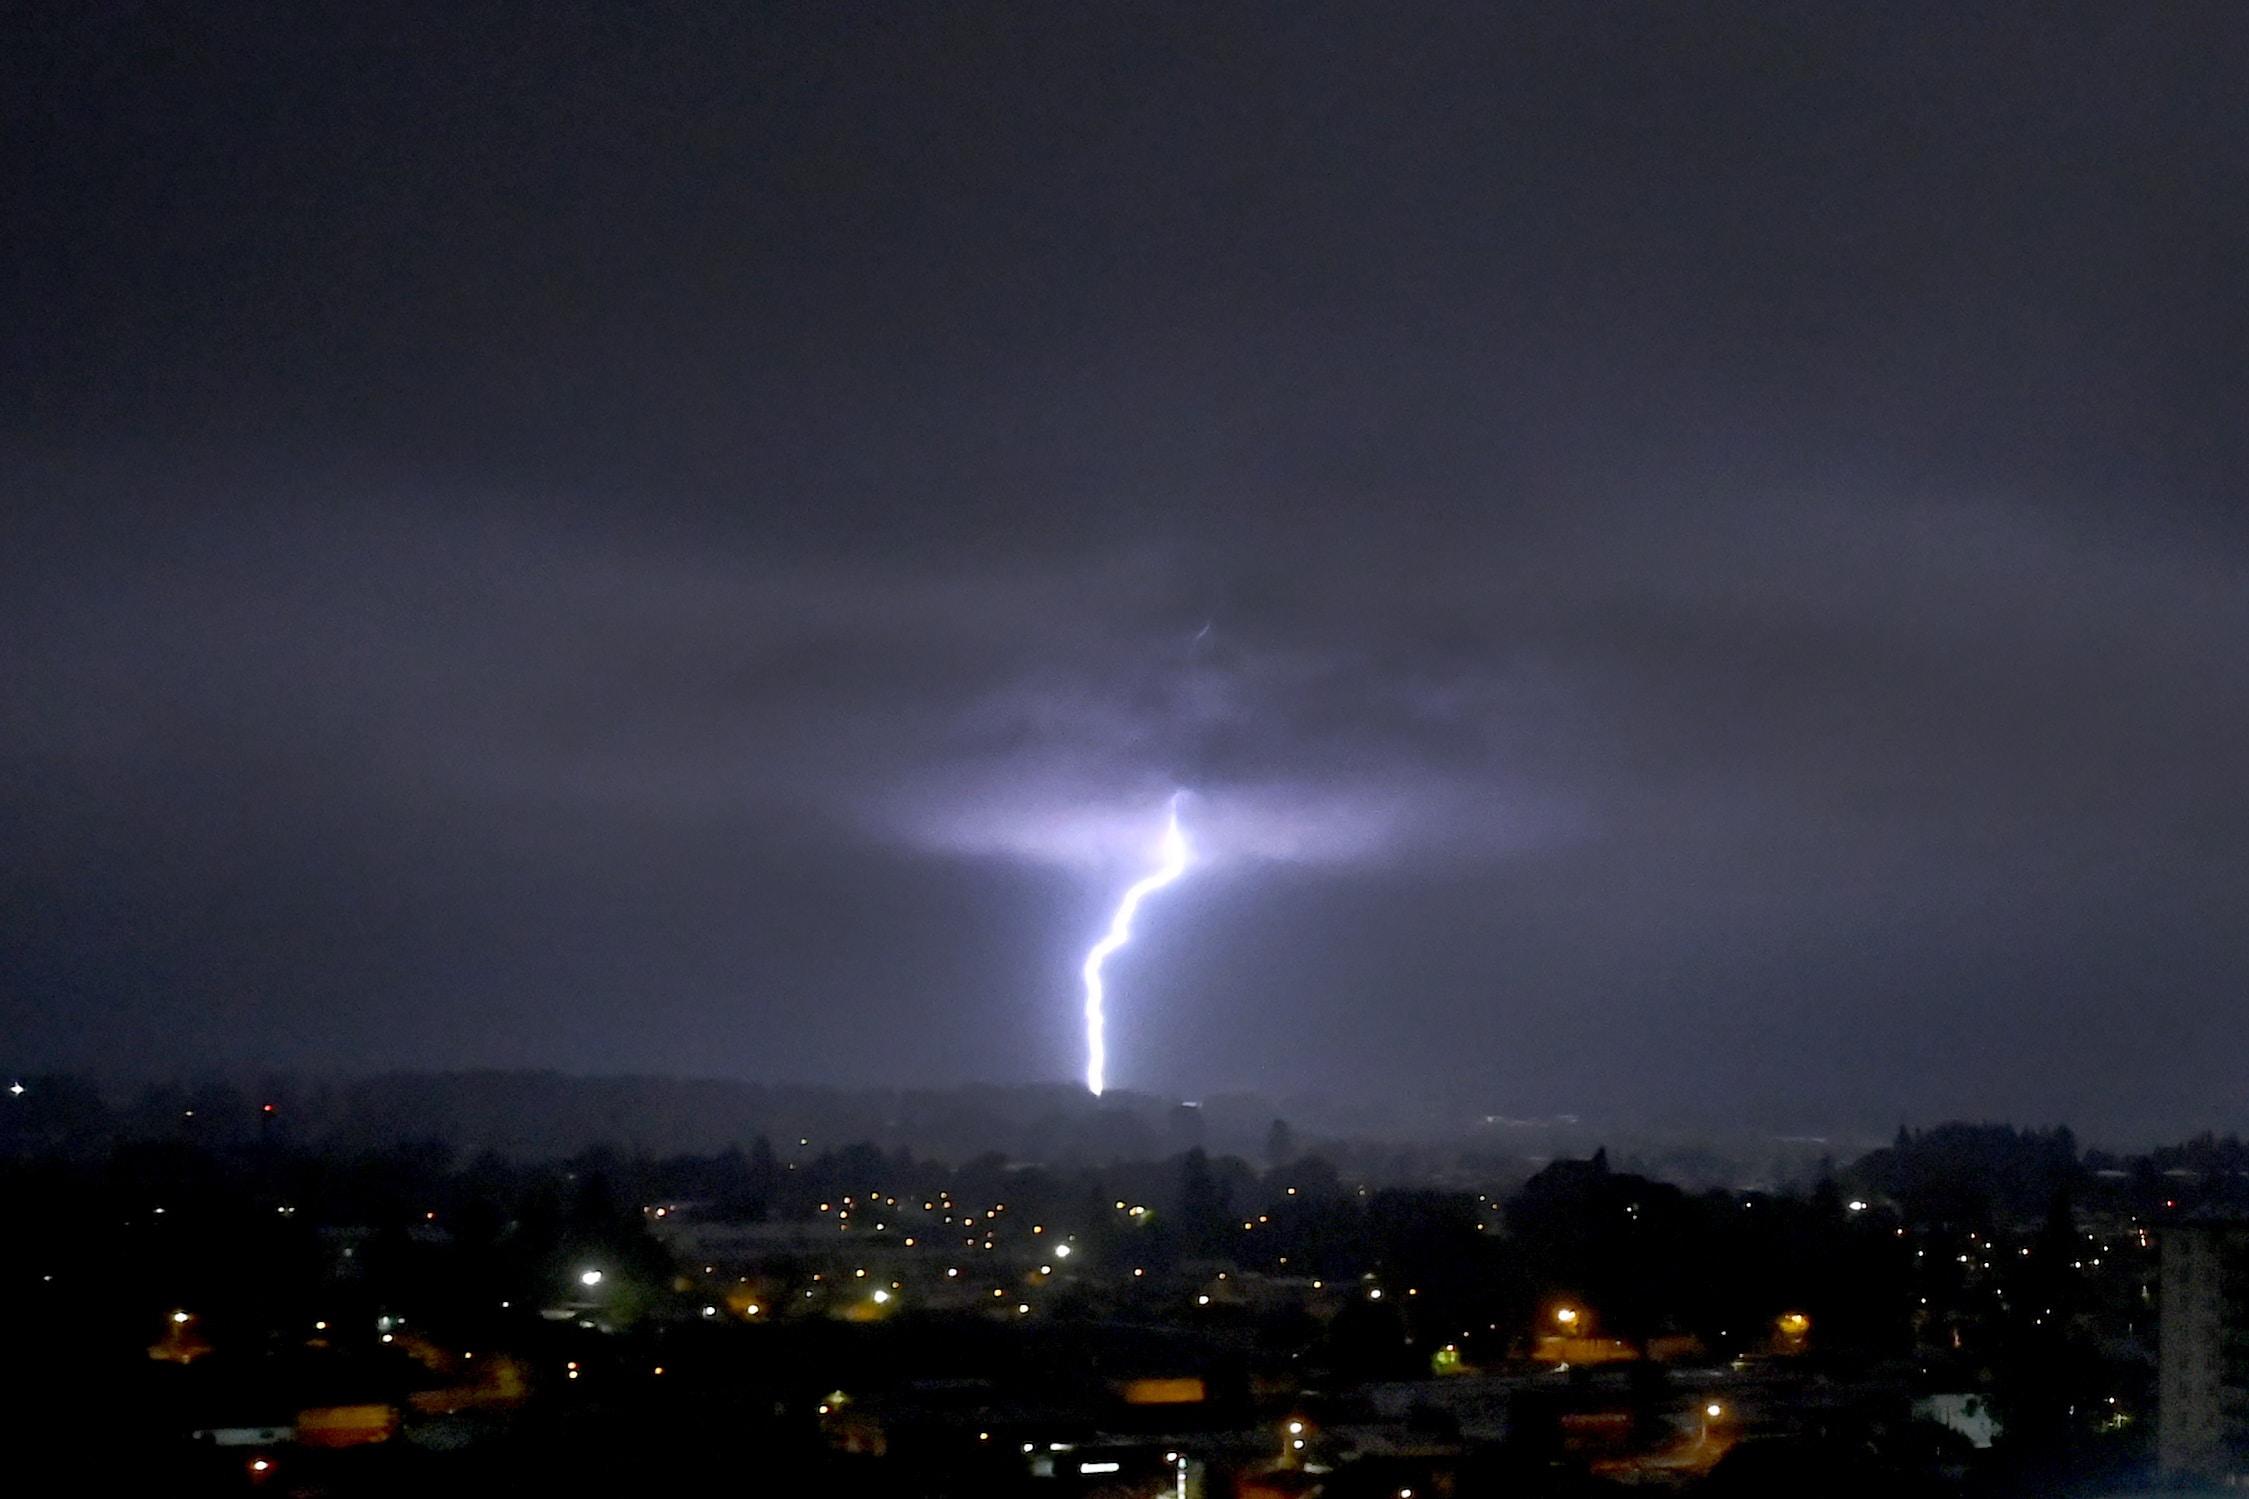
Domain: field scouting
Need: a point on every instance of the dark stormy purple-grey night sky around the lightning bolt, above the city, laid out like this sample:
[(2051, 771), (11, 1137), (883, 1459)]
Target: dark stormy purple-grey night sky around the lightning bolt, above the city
[(1688, 556)]
